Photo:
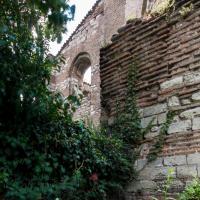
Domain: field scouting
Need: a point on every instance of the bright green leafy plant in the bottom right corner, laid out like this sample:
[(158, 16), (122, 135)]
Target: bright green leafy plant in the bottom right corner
[(192, 192)]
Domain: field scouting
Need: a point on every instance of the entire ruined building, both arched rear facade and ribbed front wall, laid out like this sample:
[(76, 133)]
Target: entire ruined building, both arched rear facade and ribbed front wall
[(168, 54)]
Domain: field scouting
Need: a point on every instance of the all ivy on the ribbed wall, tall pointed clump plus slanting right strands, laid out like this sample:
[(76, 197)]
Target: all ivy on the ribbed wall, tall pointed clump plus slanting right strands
[(127, 123)]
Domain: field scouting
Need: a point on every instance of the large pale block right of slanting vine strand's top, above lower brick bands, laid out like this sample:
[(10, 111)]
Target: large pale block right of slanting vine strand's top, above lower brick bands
[(180, 126)]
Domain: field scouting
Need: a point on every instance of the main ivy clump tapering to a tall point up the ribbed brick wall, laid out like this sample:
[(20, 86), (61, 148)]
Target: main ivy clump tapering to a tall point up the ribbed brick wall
[(127, 124)]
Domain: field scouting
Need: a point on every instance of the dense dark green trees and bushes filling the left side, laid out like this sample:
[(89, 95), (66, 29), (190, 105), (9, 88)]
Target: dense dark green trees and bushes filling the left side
[(44, 154)]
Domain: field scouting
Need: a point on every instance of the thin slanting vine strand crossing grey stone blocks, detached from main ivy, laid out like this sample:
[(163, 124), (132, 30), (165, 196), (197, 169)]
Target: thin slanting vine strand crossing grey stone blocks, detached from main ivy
[(158, 146)]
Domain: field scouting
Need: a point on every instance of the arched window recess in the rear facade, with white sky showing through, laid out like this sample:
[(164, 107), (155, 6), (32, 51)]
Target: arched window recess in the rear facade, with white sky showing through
[(80, 73)]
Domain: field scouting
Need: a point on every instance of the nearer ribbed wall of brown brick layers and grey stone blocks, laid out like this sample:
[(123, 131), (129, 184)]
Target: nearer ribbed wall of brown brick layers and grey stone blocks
[(168, 54)]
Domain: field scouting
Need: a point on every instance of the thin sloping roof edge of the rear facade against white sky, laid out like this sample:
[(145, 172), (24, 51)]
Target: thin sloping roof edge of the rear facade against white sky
[(90, 12)]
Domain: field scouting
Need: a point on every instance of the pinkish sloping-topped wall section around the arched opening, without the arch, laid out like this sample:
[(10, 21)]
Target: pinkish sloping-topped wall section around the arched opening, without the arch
[(87, 38)]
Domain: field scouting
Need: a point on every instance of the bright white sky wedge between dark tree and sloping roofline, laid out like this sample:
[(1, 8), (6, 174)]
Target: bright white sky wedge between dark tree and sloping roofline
[(82, 8)]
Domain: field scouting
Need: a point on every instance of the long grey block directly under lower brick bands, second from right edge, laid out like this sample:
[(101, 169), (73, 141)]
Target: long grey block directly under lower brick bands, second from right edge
[(175, 160)]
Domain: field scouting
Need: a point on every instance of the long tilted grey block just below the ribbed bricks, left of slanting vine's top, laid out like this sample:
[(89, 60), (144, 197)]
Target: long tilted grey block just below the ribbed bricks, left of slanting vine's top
[(155, 109)]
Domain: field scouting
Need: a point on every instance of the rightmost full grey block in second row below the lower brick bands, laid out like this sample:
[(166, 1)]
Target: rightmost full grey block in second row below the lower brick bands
[(187, 171)]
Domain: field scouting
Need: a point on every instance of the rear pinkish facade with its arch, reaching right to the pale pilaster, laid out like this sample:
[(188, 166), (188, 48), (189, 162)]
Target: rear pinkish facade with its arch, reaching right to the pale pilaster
[(82, 50)]
